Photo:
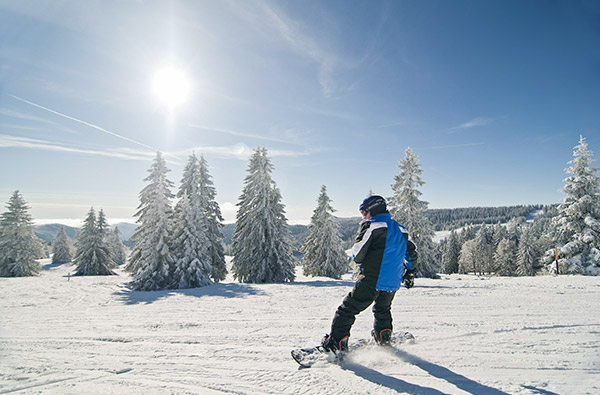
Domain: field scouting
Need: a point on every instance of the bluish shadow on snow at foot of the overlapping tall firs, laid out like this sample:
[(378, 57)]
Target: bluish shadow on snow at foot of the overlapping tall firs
[(225, 290)]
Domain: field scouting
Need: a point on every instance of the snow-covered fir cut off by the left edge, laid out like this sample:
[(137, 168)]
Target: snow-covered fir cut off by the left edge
[(19, 247)]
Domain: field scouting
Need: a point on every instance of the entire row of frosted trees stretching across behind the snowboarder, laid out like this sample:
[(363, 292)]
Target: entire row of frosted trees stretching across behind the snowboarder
[(180, 245)]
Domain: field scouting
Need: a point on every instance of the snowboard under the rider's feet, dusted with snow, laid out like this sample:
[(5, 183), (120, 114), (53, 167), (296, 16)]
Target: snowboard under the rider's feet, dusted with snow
[(307, 357)]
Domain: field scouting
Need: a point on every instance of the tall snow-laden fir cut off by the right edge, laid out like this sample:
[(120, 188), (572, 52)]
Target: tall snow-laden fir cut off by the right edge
[(578, 223)]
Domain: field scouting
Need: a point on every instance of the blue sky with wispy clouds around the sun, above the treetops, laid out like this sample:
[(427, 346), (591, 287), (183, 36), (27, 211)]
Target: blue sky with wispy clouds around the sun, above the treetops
[(491, 95)]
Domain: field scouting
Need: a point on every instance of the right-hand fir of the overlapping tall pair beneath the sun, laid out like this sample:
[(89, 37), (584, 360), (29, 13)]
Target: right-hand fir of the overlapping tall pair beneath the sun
[(190, 243)]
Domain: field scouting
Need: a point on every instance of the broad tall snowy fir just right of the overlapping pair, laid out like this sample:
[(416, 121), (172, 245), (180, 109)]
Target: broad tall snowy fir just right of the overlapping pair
[(261, 243)]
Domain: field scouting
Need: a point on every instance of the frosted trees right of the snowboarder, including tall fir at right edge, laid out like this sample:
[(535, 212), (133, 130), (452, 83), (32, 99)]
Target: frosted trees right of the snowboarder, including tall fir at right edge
[(561, 239)]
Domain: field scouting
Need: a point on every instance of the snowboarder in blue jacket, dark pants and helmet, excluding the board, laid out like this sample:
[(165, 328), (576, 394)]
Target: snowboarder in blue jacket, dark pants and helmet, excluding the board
[(386, 255)]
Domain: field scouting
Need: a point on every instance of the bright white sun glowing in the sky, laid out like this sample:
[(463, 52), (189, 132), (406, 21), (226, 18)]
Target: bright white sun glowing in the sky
[(171, 85)]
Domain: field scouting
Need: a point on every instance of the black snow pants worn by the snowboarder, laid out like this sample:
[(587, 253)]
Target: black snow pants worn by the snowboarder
[(362, 296)]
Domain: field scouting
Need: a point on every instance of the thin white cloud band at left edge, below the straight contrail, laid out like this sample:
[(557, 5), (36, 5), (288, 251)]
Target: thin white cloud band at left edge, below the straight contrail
[(7, 141)]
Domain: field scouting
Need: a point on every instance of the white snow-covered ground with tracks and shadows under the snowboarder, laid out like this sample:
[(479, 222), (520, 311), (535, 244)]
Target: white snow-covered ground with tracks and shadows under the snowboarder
[(475, 335)]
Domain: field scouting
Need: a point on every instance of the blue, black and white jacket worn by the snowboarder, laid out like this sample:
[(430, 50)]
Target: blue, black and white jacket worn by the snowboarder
[(383, 249)]
